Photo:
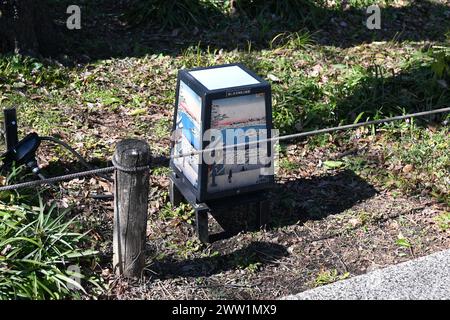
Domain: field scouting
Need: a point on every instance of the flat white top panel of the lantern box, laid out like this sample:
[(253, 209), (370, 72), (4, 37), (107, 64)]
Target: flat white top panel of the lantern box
[(223, 77)]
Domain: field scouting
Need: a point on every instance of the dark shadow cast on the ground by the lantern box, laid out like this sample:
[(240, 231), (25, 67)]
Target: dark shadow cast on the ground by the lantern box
[(297, 202)]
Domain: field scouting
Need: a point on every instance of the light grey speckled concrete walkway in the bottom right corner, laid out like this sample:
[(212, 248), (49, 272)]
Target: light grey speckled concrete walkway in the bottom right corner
[(425, 278)]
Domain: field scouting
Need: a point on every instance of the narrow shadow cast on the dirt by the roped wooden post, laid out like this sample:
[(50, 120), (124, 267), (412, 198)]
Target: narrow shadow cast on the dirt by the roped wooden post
[(251, 256)]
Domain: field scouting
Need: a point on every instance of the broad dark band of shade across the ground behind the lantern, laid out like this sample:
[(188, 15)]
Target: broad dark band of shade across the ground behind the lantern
[(109, 30)]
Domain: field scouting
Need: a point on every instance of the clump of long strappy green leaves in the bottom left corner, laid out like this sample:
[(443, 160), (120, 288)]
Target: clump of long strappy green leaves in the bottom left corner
[(41, 254)]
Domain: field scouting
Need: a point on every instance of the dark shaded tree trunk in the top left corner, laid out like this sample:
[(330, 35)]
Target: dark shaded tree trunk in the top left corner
[(27, 28)]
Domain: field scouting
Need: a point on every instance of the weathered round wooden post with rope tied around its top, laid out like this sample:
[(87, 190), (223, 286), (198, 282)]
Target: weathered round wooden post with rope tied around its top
[(130, 207)]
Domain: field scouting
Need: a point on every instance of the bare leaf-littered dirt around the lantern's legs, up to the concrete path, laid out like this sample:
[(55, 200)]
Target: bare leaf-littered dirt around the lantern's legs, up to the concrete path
[(327, 225)]
